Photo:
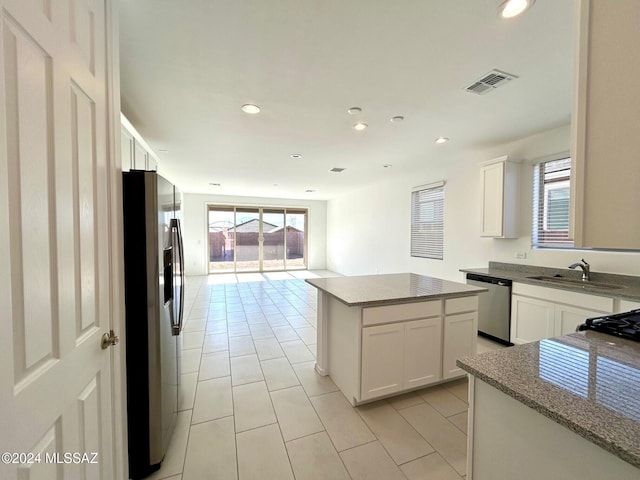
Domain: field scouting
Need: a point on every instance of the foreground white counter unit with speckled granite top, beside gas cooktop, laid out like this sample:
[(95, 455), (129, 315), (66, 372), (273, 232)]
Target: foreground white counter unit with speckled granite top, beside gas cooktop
[(565, 407)]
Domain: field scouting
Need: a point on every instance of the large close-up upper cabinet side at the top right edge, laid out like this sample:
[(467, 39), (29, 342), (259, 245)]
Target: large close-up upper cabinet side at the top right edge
[(606, 126)]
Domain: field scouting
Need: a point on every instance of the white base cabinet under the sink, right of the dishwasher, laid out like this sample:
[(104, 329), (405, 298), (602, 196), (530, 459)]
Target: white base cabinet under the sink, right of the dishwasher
[(539, 312)]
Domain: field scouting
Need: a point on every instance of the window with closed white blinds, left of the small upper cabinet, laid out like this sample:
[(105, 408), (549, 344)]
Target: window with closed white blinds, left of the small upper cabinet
[(427, 221)]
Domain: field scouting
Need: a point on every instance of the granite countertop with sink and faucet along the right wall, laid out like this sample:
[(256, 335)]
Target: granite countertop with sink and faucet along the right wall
[(630, 286)]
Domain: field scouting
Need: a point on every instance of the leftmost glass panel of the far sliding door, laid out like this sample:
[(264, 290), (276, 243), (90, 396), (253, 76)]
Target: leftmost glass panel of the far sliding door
[(221, 239)]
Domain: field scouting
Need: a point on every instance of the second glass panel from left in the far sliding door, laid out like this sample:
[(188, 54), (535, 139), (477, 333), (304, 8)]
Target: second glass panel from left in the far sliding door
[(247, 240)]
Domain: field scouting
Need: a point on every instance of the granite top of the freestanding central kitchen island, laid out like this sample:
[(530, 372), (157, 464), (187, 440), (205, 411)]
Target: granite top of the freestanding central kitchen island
[(372, 290)]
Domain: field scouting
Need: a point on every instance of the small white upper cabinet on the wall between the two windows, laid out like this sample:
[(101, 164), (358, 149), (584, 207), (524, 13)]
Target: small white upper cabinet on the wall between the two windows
[(499, 198)]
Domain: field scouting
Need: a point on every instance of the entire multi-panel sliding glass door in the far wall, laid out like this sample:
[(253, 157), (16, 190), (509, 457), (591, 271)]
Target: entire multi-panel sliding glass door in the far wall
[(256, 239)]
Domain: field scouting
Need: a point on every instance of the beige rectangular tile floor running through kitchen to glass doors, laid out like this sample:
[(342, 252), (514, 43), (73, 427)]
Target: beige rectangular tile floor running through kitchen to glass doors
[(253, 407)]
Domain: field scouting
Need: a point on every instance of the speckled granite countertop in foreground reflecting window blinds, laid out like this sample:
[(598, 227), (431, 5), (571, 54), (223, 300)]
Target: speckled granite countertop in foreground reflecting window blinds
[(588, 382)]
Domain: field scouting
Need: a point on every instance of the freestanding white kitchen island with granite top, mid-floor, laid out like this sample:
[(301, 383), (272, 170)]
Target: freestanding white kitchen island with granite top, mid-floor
[(380, 335)]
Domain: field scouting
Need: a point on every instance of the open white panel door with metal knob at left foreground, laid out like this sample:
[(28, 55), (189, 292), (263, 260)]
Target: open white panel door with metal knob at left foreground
[(56, 203)]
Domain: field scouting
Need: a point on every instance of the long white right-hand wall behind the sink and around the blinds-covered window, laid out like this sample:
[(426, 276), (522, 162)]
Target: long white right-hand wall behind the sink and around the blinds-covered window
[(368, 230)]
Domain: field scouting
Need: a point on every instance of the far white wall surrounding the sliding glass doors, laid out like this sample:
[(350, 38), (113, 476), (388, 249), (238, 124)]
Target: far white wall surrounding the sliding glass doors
[(195, 227)]
